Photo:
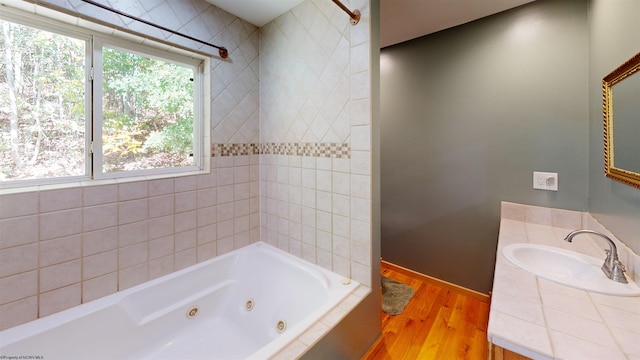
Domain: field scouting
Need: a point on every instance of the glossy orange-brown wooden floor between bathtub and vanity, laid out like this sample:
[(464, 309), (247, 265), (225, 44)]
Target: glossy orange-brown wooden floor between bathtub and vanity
[(438, 323)]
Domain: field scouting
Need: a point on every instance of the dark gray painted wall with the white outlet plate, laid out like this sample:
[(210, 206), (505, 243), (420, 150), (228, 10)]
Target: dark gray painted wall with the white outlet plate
[(467, 115)]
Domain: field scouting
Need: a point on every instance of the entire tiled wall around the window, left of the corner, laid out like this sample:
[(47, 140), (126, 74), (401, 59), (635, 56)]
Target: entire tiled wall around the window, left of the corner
[(60, 248)]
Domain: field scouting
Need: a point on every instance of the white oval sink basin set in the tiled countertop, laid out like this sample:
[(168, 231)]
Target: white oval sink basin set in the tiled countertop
[(567, 268)]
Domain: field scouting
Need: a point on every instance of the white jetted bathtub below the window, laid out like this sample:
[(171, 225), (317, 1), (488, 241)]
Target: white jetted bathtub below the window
[(243, 299)]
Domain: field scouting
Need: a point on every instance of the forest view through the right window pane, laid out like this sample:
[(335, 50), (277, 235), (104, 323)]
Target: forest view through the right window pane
[(147, 112)]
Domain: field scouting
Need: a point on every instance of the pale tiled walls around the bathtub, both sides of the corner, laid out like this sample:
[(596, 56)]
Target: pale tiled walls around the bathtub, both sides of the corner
[(305, 189)]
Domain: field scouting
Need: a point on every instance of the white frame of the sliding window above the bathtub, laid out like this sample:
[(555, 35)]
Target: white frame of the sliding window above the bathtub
[(94, 36)]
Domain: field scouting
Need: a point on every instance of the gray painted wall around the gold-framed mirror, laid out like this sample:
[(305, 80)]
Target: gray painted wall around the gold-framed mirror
[(614, 38)]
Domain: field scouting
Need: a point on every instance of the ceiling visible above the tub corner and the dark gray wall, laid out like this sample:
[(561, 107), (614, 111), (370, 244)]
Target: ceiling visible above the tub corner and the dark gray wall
[(400, 20)]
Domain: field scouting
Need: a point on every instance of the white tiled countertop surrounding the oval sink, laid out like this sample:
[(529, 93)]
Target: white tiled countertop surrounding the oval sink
[(544, 320)]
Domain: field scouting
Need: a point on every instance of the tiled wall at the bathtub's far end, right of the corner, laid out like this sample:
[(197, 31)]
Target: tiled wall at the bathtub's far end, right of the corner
[(315, 88)]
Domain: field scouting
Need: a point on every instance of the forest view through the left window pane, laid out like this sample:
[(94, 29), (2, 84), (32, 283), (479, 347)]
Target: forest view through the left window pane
[(42, 104)]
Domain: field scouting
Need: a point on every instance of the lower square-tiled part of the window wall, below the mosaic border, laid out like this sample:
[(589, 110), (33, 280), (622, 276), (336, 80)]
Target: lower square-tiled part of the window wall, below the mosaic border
[(61, 248)]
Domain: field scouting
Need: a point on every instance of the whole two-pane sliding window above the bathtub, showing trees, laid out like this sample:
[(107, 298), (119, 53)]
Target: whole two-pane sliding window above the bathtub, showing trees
[(79, 106)]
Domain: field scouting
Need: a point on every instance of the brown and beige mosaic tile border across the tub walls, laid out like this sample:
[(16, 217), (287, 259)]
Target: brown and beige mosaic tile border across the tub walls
[(329, 150)]
